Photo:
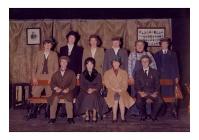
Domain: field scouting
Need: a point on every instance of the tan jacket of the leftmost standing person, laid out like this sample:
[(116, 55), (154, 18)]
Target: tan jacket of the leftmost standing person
[(38, 62)]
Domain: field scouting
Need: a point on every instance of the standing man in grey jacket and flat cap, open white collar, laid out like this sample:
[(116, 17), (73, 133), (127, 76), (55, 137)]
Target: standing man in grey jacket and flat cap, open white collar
[(115, 51)]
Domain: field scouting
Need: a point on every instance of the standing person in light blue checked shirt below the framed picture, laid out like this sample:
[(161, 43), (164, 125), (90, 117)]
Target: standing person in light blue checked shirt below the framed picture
[(134, 63)]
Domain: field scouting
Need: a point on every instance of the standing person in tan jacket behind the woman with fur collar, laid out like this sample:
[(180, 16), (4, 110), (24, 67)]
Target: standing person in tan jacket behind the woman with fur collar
[(95, 52)]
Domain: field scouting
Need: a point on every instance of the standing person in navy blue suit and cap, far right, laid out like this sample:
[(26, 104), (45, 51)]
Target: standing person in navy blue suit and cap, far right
[(168, 68)]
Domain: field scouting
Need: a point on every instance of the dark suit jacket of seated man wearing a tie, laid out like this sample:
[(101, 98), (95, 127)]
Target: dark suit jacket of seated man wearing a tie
[(148, 84)]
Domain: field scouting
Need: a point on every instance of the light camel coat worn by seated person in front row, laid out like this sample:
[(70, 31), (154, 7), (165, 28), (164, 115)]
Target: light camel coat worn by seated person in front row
[(120, 81)]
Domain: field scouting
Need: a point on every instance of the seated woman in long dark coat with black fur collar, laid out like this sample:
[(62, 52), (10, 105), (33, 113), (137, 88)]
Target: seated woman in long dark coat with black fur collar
[(90, 85)]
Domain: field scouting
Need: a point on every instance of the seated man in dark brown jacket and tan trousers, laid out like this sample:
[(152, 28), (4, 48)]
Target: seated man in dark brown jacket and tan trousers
[(62, 84)]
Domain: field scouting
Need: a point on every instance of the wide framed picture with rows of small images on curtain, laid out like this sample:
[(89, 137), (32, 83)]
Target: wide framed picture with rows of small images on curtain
[(151, 35)]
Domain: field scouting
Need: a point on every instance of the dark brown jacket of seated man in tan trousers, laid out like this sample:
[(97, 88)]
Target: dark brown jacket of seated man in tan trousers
[(68, 80)]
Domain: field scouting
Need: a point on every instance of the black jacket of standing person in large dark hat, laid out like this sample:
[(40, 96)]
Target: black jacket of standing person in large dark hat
[(75, 63)]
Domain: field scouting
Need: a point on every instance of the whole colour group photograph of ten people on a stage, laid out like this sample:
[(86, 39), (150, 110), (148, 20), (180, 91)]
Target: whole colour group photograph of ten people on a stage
[(99, 70)]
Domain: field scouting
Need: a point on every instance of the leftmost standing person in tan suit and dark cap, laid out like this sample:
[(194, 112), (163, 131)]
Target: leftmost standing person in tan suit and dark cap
[(45, 63)]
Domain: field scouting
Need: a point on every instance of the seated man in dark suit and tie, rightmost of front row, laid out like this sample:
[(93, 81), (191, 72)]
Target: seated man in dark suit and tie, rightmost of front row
[(147, 85)]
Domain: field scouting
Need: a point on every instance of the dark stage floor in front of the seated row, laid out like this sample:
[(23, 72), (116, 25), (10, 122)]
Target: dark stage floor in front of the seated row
[(17, 123)]
